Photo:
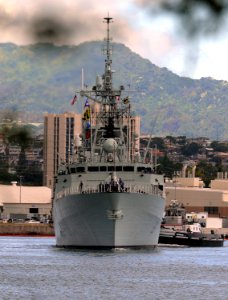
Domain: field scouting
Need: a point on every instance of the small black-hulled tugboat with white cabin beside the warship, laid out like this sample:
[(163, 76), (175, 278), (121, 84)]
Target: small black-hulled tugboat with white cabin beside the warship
[(176, 229)]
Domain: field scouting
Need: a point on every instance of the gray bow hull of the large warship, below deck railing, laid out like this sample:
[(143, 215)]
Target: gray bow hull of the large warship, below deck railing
[(108, 220)]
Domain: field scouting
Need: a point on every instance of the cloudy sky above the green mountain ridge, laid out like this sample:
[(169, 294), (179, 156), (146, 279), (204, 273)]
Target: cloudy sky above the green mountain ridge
[(153, 34)]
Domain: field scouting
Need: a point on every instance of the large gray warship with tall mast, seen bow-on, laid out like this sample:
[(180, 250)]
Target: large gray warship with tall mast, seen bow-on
[(108, 195)]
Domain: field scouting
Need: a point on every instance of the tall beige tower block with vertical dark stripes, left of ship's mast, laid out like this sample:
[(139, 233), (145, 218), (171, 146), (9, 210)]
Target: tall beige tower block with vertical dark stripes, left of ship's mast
[(60, 131)]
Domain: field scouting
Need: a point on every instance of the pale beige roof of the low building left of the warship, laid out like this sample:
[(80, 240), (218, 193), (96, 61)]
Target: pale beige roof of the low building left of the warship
[(24, 194)]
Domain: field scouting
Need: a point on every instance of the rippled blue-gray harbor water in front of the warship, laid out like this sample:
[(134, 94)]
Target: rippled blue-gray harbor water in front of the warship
[(33, 268)]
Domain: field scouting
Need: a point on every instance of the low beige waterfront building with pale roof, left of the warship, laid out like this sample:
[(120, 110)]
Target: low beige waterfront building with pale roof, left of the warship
[(21, 202)]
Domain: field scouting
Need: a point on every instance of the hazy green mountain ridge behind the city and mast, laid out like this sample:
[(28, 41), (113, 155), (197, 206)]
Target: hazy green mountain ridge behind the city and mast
[(43, 78)]
